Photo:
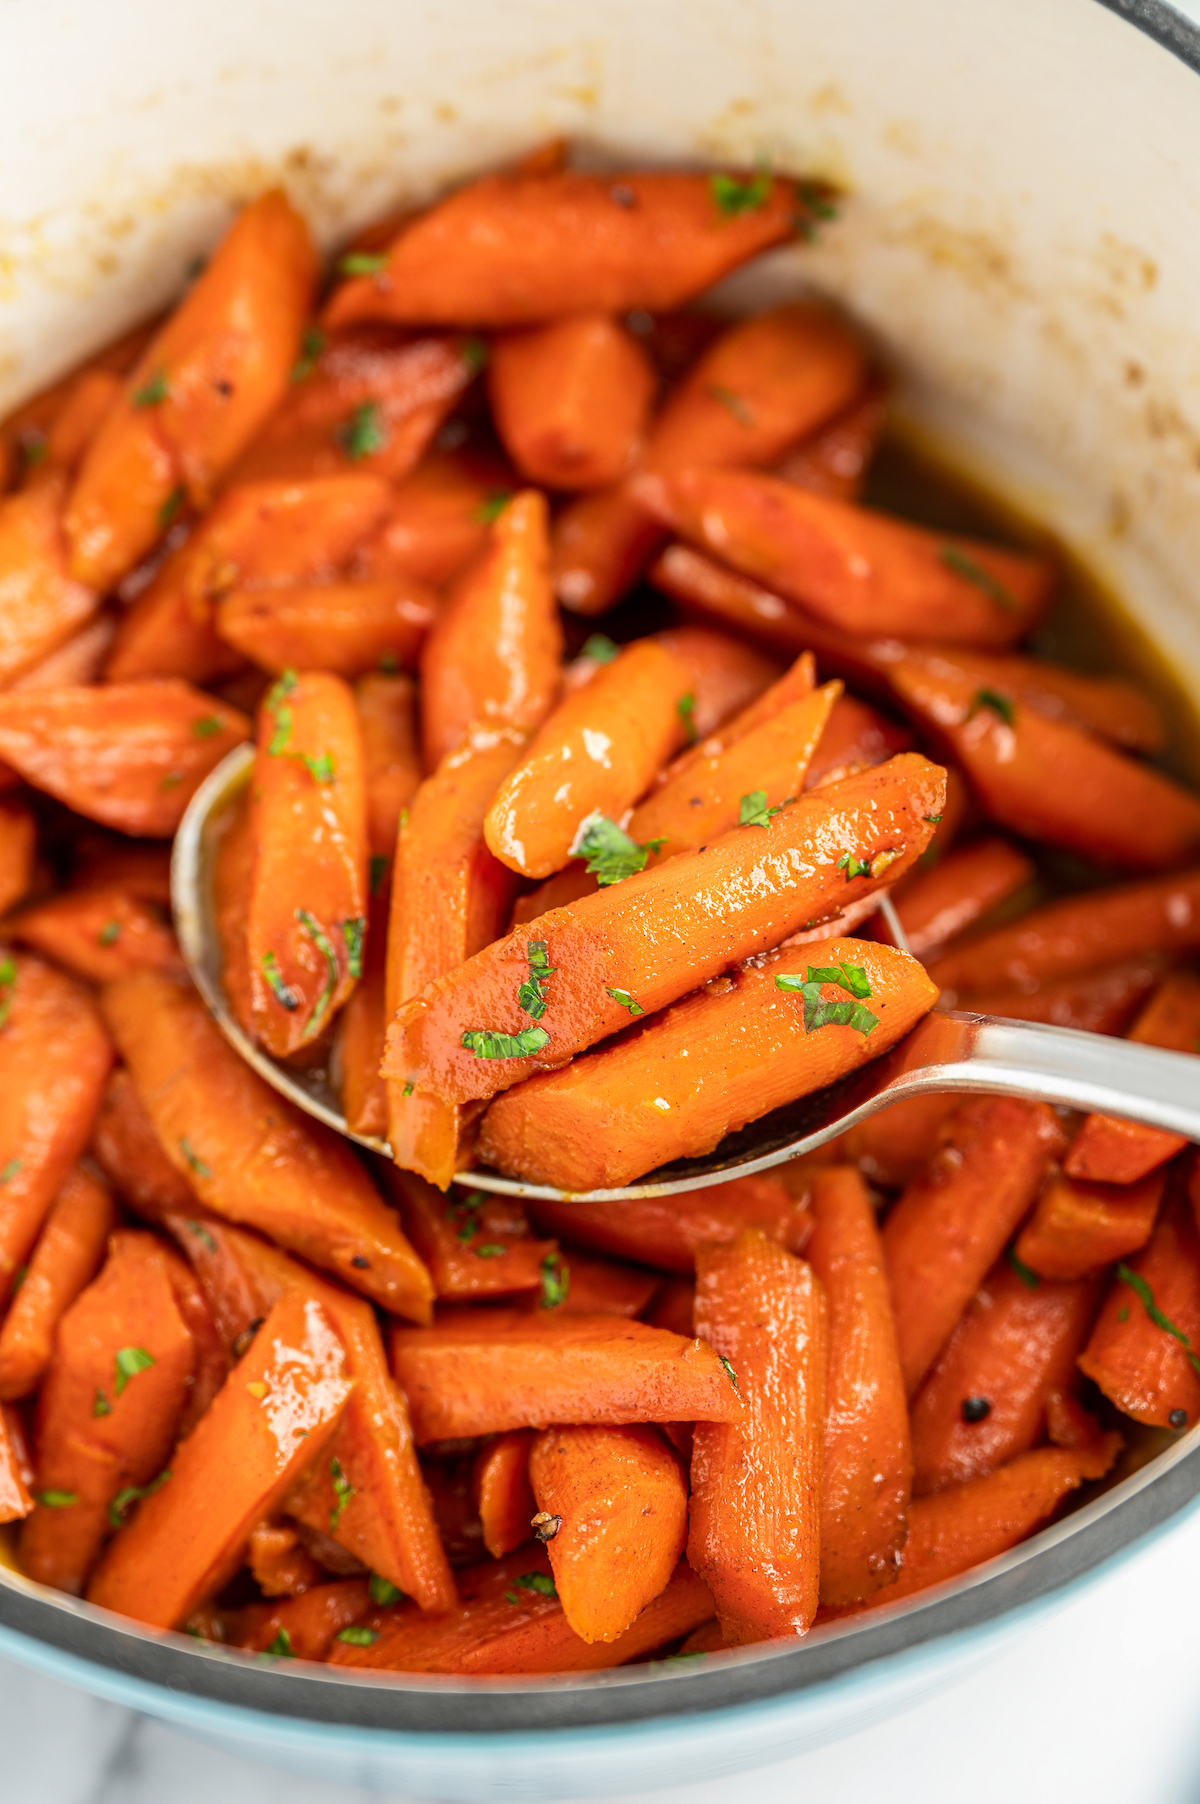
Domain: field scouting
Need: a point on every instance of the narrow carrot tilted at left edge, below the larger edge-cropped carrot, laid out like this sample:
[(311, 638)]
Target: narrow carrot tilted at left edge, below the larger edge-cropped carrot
[(64, 1260)]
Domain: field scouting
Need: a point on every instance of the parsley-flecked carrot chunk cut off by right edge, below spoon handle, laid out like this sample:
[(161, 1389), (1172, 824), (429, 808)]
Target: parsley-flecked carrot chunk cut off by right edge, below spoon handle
[(1143, 1348)]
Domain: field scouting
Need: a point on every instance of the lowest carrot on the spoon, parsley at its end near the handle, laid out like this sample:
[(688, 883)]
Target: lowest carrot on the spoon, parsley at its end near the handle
[(676, 1087)]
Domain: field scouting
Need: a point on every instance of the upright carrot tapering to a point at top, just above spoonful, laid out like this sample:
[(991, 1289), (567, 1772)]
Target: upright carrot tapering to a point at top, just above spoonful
[(495, 652)]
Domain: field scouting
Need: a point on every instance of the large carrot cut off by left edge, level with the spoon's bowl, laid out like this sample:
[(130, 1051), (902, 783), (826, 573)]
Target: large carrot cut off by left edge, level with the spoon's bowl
[(55, 1058)]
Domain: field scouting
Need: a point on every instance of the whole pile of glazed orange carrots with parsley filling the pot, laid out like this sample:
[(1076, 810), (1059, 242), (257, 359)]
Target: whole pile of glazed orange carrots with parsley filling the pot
[(564, 899)]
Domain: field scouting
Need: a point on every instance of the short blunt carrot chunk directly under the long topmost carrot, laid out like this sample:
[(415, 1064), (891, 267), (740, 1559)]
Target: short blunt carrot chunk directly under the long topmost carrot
[(571, 401)]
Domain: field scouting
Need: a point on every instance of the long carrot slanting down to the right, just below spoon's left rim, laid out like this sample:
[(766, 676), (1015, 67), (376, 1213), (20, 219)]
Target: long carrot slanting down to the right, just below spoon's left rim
[(250, 1155)]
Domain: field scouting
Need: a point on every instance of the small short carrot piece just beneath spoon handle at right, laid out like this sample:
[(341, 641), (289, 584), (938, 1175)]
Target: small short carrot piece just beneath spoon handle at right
[(1080, 1228)]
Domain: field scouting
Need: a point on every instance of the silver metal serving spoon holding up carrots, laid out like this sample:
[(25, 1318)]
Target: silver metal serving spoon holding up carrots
[(950, 1051)]
